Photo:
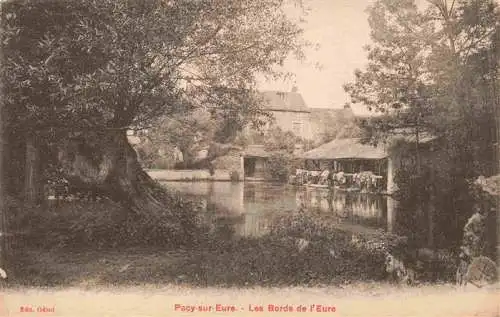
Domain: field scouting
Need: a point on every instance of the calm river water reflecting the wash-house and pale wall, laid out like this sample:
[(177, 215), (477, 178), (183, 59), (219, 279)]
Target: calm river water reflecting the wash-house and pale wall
[(250, 207)]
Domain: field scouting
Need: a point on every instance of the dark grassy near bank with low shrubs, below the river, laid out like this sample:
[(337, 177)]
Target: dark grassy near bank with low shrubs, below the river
[(93, 243)]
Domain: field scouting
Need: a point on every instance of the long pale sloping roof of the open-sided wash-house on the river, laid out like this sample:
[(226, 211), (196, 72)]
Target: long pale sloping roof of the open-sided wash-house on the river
[(345, 149)]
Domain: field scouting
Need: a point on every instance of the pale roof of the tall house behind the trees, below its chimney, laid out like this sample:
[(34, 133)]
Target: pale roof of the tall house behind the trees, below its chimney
[(284, 101)]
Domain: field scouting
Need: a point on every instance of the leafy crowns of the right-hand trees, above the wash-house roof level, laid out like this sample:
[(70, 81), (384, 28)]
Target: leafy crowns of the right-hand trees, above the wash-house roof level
[(433, 69)]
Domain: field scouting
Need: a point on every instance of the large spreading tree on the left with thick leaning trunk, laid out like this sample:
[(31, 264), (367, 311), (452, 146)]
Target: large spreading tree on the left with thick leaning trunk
[(79, 73)]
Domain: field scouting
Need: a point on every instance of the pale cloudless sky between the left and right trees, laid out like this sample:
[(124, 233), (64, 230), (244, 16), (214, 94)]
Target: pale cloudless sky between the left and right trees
[(340, 29)]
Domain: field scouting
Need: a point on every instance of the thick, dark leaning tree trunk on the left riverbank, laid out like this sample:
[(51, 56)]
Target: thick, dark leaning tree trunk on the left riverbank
[(106, 163)]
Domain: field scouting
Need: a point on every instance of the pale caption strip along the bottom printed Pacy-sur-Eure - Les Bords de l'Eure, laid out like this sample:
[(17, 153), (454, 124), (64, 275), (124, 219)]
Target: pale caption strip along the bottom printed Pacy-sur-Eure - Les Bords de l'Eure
[(357, 300)]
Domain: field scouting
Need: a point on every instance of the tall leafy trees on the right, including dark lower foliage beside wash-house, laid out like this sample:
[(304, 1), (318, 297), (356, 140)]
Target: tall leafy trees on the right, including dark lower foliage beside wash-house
[(435, 70)]
